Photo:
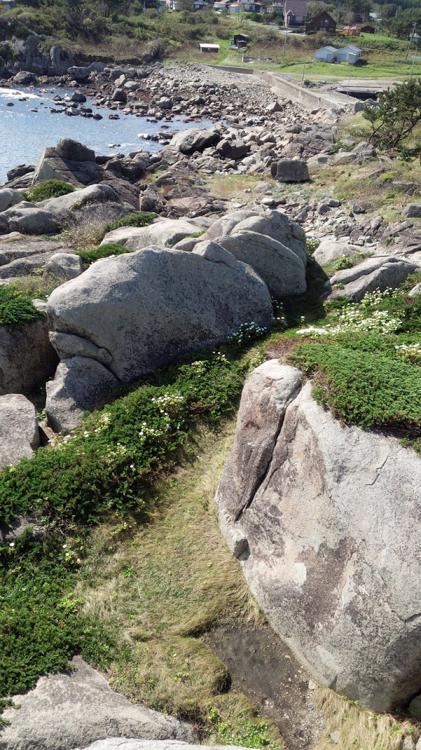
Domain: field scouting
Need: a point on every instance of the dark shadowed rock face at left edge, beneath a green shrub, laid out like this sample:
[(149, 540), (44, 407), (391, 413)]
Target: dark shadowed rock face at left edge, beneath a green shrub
[(27, 358)]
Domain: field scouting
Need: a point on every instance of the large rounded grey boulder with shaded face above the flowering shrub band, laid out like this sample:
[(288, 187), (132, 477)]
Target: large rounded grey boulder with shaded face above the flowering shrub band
[(143, 310)]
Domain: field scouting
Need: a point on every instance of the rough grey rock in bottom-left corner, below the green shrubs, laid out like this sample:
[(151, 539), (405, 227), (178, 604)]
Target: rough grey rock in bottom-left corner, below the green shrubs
[(65, 711)]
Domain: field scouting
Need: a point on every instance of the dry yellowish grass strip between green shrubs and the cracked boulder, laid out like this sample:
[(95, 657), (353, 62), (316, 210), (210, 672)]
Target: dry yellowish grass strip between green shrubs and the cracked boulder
[(166, 584)]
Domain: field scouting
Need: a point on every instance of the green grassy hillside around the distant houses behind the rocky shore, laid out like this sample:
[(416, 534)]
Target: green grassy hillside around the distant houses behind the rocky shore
[(129, 37)]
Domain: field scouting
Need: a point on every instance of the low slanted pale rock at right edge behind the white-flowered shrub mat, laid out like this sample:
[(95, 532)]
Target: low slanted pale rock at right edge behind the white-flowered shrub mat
[(380, 272)]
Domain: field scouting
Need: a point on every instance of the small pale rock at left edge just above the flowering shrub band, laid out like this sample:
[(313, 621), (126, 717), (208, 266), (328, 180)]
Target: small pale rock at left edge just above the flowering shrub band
[(19, 434)]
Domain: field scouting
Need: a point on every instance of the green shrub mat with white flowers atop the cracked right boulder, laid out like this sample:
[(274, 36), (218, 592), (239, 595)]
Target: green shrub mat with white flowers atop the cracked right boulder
[(365, 362)]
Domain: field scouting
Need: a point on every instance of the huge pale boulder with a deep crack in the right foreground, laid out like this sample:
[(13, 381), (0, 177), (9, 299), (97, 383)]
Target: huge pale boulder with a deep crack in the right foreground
[(326, 521)]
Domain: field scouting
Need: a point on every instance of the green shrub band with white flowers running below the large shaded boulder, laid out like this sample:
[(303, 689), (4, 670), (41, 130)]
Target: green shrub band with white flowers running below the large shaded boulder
[(105, 464)]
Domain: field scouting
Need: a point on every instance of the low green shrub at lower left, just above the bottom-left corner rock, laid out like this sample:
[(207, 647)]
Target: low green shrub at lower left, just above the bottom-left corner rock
[(40, 624)]
